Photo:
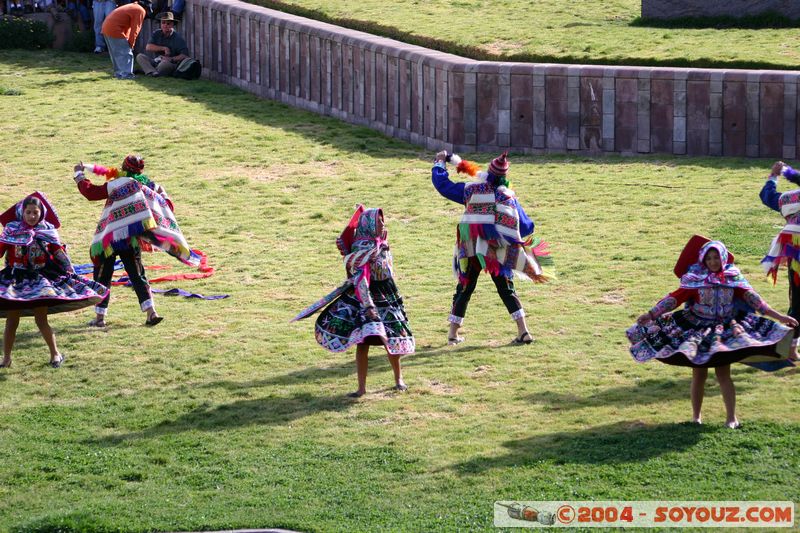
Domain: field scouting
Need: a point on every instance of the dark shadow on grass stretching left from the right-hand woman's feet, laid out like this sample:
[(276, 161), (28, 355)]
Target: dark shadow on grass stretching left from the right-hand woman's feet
[(619, 443)]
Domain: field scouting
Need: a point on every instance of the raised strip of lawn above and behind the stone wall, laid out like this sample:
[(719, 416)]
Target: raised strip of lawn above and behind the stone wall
[(578, 31)]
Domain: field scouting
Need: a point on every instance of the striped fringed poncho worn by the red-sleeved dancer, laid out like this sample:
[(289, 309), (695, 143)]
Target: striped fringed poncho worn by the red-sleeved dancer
[(135, 215)]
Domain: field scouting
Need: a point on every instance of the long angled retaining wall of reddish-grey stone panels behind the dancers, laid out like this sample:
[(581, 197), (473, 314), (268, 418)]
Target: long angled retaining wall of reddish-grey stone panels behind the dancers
[(440, 100)]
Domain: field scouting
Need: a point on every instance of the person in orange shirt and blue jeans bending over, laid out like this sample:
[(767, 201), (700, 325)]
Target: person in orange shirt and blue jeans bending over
[(120, 30)]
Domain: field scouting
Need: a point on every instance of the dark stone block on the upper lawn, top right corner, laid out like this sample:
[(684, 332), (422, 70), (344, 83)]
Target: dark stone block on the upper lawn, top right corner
[(670, 9)]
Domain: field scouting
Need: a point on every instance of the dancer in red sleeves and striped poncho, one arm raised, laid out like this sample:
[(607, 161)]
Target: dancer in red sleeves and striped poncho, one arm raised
[(137, 216)]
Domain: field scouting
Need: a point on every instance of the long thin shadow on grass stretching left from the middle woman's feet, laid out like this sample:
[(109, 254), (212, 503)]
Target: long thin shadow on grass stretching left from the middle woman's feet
[(272, 410)]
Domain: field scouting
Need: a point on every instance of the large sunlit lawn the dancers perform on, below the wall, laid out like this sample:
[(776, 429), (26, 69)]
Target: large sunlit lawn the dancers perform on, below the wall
[(228, 416)]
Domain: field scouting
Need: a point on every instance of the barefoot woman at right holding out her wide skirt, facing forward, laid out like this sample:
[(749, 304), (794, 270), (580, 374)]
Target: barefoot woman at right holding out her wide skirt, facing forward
[(717, 326)]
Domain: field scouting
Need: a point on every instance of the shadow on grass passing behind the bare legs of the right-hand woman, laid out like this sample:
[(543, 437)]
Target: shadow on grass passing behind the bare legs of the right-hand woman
[(643, 393)]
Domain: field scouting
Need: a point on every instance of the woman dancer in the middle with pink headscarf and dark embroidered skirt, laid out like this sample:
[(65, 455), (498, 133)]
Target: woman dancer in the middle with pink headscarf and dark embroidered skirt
[(367, 308)]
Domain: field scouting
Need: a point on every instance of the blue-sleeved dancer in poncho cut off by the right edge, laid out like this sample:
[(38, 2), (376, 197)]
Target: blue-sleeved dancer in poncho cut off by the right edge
[(785, 247)]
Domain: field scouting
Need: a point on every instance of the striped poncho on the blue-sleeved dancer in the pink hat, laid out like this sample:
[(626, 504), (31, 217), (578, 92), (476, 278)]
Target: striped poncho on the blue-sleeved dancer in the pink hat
[(489, 231)]
